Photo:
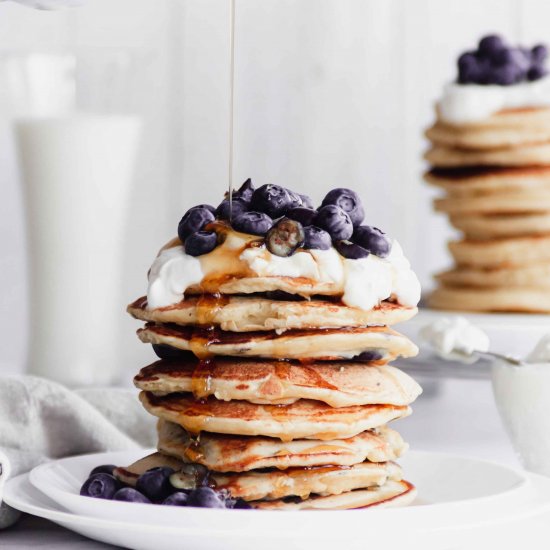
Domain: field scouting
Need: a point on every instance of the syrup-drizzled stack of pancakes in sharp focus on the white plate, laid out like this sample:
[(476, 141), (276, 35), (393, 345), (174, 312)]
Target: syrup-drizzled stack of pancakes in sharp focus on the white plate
[(284, 397)]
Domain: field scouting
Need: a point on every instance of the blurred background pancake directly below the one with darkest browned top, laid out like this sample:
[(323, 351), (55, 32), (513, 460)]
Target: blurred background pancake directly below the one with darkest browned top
[(513, 202)]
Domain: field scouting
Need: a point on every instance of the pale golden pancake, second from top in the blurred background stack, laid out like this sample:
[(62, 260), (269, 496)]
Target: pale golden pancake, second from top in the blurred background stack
[(483, 137)]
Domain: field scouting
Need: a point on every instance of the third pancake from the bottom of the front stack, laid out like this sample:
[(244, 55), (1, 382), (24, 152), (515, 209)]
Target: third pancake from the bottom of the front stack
[(233, 453)]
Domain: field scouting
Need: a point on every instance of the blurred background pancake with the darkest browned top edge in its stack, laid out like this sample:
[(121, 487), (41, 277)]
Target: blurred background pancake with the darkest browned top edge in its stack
[(475, 181)]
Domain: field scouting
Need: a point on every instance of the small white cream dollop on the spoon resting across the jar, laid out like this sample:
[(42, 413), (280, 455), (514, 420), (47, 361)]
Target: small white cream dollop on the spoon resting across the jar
[(455, 339)]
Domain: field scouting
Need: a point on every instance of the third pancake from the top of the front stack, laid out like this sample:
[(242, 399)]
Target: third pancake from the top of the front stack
[(325, 344)]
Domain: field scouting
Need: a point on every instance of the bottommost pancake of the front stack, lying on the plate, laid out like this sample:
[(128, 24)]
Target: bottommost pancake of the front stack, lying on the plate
[(392, 493)]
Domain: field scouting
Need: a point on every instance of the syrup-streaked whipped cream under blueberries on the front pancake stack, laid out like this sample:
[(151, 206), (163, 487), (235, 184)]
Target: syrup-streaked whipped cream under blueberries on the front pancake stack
[(364, 283)]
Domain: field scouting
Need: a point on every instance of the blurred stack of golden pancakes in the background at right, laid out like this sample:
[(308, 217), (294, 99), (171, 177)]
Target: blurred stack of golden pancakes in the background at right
[(496, 176)]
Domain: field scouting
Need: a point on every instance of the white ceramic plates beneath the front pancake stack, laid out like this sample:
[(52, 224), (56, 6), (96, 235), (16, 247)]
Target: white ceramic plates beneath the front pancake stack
[(459, 498)]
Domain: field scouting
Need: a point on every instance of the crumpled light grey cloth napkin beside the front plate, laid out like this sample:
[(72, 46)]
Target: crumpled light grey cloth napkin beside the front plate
[(41, 420)]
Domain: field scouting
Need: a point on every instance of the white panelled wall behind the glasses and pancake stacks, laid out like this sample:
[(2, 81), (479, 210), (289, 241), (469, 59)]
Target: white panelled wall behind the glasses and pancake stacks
[(328, 93)]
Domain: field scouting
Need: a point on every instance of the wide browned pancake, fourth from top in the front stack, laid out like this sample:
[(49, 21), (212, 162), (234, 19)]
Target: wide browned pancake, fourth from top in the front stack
[(280, 382)]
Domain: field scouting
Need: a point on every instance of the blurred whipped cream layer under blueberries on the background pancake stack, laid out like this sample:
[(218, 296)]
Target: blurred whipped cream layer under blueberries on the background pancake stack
[(463, 103)]
